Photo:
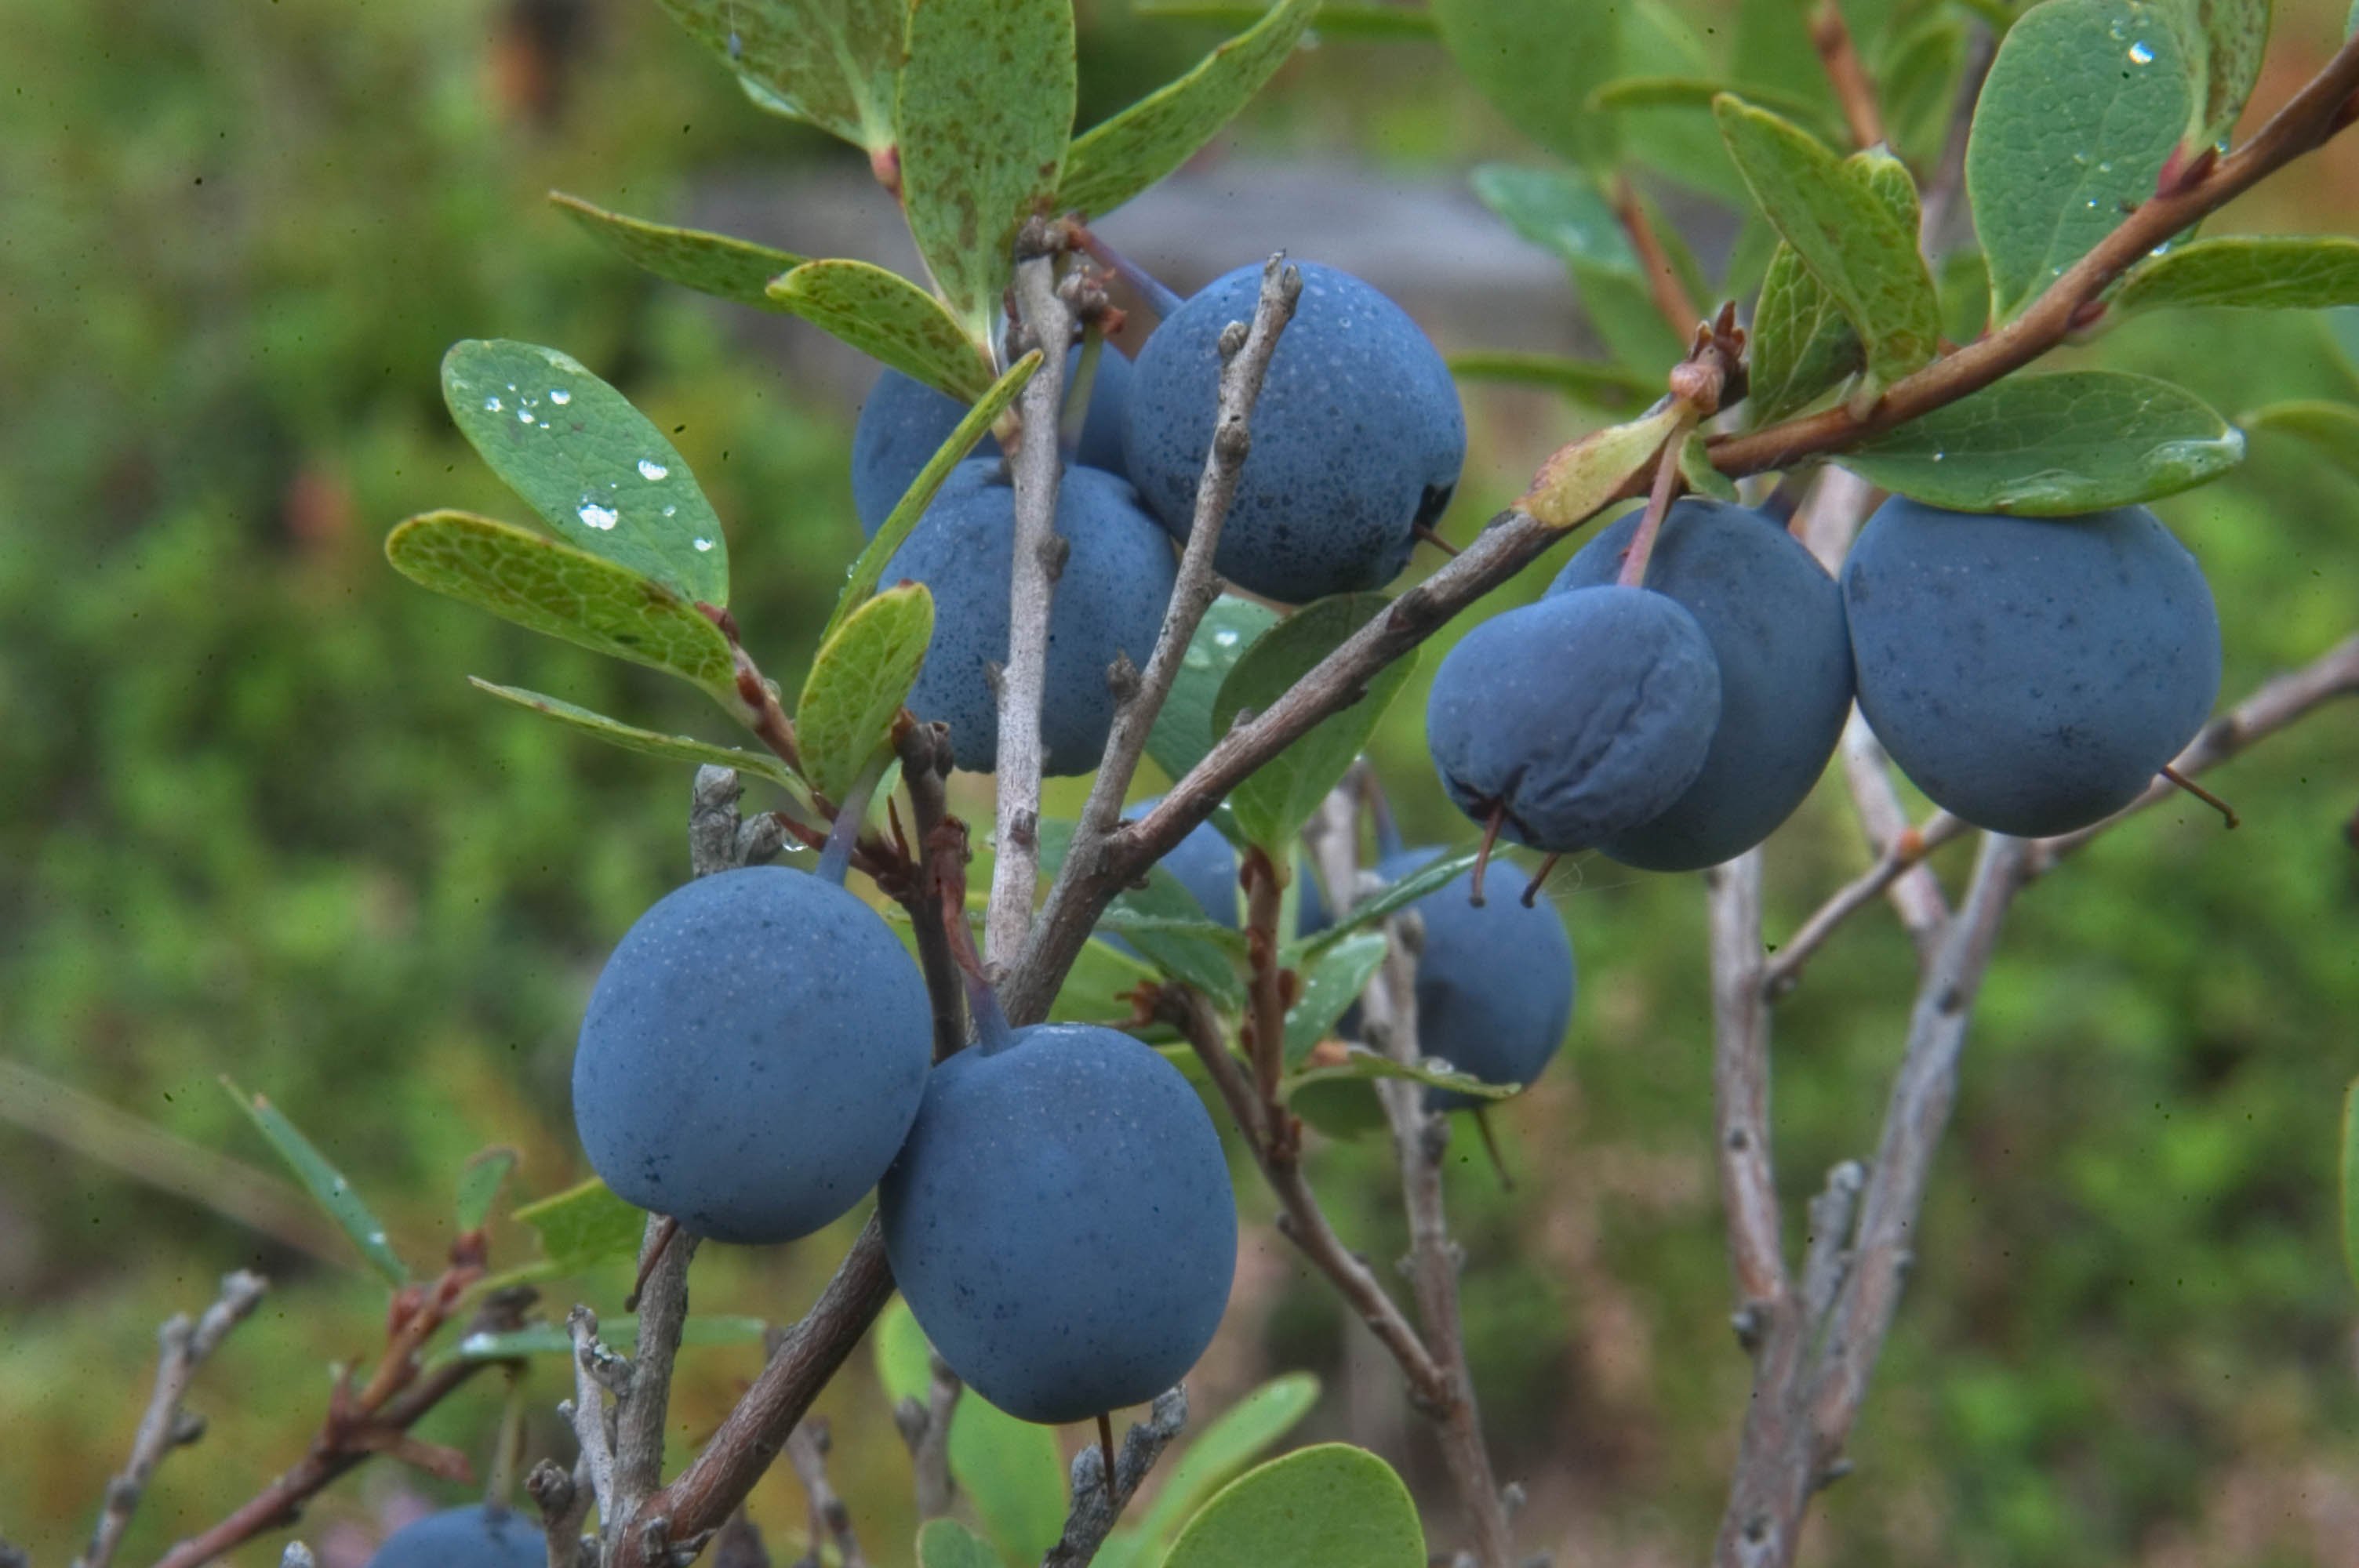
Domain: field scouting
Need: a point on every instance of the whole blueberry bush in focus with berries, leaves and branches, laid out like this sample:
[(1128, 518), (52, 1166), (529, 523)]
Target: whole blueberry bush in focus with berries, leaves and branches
[(1865, 529)]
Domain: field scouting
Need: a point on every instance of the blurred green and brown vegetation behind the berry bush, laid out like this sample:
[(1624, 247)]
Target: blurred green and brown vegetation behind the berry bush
[(261, 826)]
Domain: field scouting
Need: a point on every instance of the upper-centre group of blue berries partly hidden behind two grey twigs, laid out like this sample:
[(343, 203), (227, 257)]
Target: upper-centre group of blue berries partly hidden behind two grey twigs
[(1358, 442)]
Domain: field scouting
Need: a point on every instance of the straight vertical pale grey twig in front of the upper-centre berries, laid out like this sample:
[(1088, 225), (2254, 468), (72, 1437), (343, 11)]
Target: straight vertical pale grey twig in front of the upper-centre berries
[(1016, 871)]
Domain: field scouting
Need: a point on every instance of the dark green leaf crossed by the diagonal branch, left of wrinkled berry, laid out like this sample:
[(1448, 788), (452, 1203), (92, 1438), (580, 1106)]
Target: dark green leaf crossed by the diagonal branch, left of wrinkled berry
[(1280, 796)]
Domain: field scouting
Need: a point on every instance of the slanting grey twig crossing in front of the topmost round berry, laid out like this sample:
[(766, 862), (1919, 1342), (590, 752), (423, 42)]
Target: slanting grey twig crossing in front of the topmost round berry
[(1242, 374)]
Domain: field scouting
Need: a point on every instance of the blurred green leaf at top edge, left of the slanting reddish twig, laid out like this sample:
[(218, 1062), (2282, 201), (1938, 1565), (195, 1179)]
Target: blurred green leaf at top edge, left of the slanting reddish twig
[(1539, 62)]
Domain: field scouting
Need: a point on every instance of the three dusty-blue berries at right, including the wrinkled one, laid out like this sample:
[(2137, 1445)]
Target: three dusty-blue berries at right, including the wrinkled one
[(2030, 676)]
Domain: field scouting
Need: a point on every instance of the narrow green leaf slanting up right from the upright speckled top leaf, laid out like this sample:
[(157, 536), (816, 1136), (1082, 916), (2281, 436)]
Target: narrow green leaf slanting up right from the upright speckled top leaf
[(1129, 152)]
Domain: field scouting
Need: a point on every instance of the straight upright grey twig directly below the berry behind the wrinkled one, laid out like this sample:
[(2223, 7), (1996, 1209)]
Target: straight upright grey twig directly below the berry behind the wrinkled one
[(1742, 1086)]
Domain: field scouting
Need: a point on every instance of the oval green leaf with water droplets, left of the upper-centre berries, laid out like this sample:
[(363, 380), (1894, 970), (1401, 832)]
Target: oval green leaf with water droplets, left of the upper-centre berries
[(591, 463)]
